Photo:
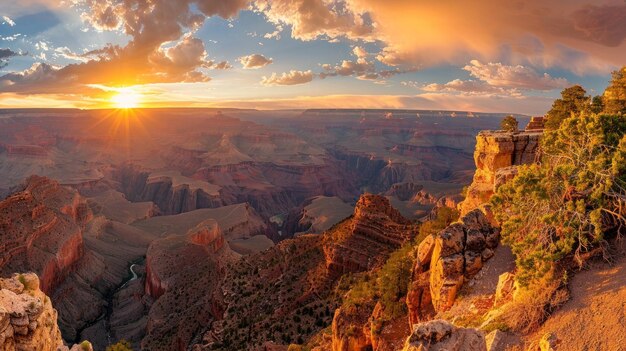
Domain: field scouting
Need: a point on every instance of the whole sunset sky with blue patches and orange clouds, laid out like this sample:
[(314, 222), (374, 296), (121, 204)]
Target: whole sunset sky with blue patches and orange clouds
[(482, 55)]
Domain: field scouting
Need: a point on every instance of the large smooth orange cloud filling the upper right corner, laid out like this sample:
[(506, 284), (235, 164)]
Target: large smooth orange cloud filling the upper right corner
[(532, 32)]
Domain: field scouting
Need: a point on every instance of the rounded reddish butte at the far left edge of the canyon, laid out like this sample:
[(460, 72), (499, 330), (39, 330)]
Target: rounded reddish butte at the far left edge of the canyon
[(41, 230)]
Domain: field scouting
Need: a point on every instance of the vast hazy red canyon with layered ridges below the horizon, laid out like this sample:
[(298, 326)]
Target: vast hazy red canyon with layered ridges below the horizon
[(160, 246)]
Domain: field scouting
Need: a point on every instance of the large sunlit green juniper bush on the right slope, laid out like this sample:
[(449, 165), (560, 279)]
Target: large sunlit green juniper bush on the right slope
[(571, 200)]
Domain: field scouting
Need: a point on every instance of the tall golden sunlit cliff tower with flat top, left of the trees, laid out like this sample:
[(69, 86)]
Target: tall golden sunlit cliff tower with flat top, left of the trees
[(496, 152)]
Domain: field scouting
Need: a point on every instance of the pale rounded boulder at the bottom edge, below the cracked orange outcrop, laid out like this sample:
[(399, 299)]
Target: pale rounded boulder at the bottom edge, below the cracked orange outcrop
[(440, 335)]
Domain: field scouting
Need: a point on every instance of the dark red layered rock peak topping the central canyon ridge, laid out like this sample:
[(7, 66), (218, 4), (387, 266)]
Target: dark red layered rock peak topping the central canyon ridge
[(365, 240)]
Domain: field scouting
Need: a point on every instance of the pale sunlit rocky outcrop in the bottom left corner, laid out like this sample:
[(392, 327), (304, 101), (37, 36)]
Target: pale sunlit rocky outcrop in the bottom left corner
[(27, 319)]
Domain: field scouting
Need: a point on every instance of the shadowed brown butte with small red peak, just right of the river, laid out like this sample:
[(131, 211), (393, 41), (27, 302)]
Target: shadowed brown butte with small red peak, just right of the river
[(183, 274)]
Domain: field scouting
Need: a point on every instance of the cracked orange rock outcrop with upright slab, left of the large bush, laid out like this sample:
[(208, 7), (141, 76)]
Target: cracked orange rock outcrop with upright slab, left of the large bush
[(448, 259)]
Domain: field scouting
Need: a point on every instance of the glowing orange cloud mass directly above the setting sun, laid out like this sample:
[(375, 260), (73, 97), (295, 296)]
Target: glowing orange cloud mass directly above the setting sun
[(161, 48)]
